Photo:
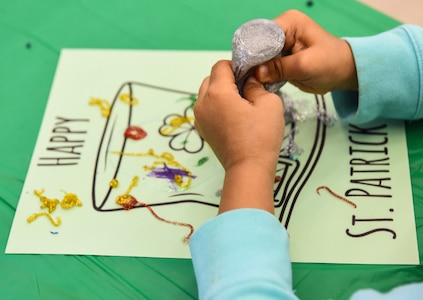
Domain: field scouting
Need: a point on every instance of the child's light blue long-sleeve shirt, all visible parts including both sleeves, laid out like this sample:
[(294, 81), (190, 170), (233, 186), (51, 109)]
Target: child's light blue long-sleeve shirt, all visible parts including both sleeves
[(244, 253)]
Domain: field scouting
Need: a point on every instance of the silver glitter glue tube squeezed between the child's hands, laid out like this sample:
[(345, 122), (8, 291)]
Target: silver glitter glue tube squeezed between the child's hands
[(254, 43)]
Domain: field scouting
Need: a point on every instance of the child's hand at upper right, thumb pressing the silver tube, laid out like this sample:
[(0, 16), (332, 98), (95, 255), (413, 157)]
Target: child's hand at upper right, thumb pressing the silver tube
[(315, 60)]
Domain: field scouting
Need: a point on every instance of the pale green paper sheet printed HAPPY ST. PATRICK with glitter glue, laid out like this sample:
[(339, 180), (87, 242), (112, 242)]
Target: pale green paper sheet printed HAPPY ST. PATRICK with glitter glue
[(172, 174)]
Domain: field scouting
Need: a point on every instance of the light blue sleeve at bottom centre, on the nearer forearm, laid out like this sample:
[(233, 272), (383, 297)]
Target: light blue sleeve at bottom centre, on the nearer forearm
[(242, 254)]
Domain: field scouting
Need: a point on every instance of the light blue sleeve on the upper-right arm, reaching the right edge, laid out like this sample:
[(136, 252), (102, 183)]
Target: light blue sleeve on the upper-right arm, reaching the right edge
[(390, 77)]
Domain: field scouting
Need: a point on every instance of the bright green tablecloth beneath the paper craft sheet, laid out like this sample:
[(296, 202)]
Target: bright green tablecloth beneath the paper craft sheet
[(31, 36)]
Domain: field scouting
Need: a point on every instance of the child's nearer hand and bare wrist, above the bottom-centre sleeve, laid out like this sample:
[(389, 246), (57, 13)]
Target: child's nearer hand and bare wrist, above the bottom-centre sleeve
[(245, 134)]
